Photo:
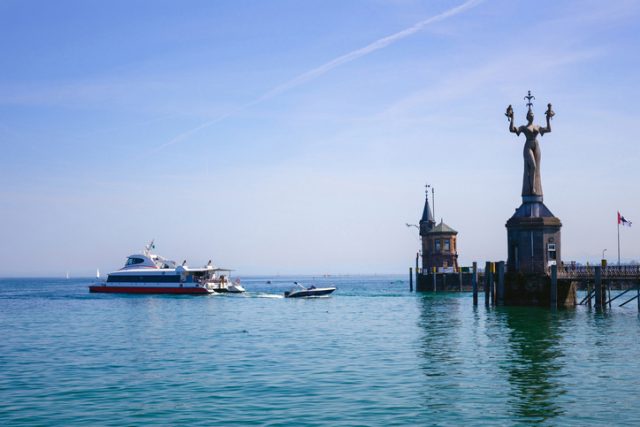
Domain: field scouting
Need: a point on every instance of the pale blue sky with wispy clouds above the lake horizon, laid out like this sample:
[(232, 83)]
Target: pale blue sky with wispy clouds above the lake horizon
[(289, 137)]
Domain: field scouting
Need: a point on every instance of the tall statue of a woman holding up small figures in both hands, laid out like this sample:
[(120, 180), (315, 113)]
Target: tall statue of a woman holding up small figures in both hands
[(531, 184)]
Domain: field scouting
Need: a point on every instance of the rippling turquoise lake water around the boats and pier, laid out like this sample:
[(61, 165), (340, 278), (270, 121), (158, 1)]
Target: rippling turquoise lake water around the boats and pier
[(372, 354)]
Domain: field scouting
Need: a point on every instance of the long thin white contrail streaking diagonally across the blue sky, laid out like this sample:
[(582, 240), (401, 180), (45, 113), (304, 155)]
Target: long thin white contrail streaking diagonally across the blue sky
[(325, 68)]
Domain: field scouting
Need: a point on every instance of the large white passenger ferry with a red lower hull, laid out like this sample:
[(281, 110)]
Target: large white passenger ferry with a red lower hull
[(148, 273)]
